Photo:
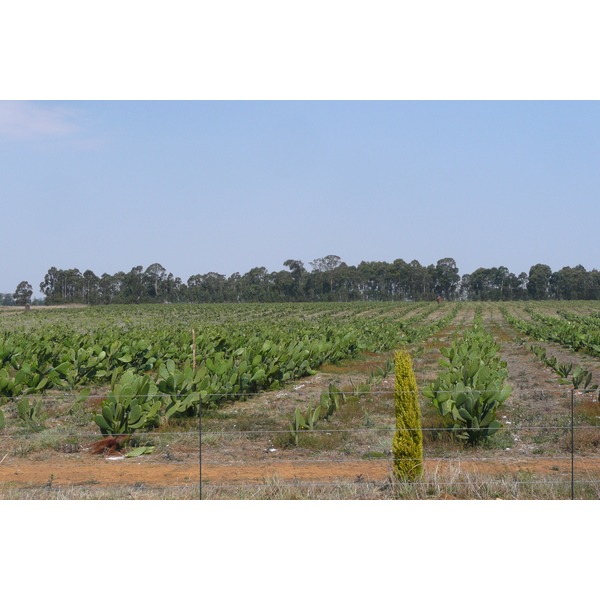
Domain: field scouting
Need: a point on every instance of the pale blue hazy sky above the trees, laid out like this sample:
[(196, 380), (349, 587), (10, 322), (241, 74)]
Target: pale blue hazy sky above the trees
[(225, 186)]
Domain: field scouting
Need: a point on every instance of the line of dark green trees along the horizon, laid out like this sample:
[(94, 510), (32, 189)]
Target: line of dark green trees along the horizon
[(329, 279)]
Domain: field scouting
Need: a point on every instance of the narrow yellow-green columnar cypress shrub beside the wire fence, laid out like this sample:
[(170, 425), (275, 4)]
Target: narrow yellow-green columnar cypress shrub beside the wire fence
[(407, 445)]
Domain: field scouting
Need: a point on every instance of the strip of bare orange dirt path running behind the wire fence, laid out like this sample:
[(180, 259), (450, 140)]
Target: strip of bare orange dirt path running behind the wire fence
[(103, 473)]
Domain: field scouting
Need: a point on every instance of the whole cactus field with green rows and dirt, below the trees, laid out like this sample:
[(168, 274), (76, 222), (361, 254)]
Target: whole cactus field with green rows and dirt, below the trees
[(296, 400)]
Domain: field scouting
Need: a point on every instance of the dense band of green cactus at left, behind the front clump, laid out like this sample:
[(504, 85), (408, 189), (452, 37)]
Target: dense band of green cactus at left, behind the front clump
[(186, 355)]
